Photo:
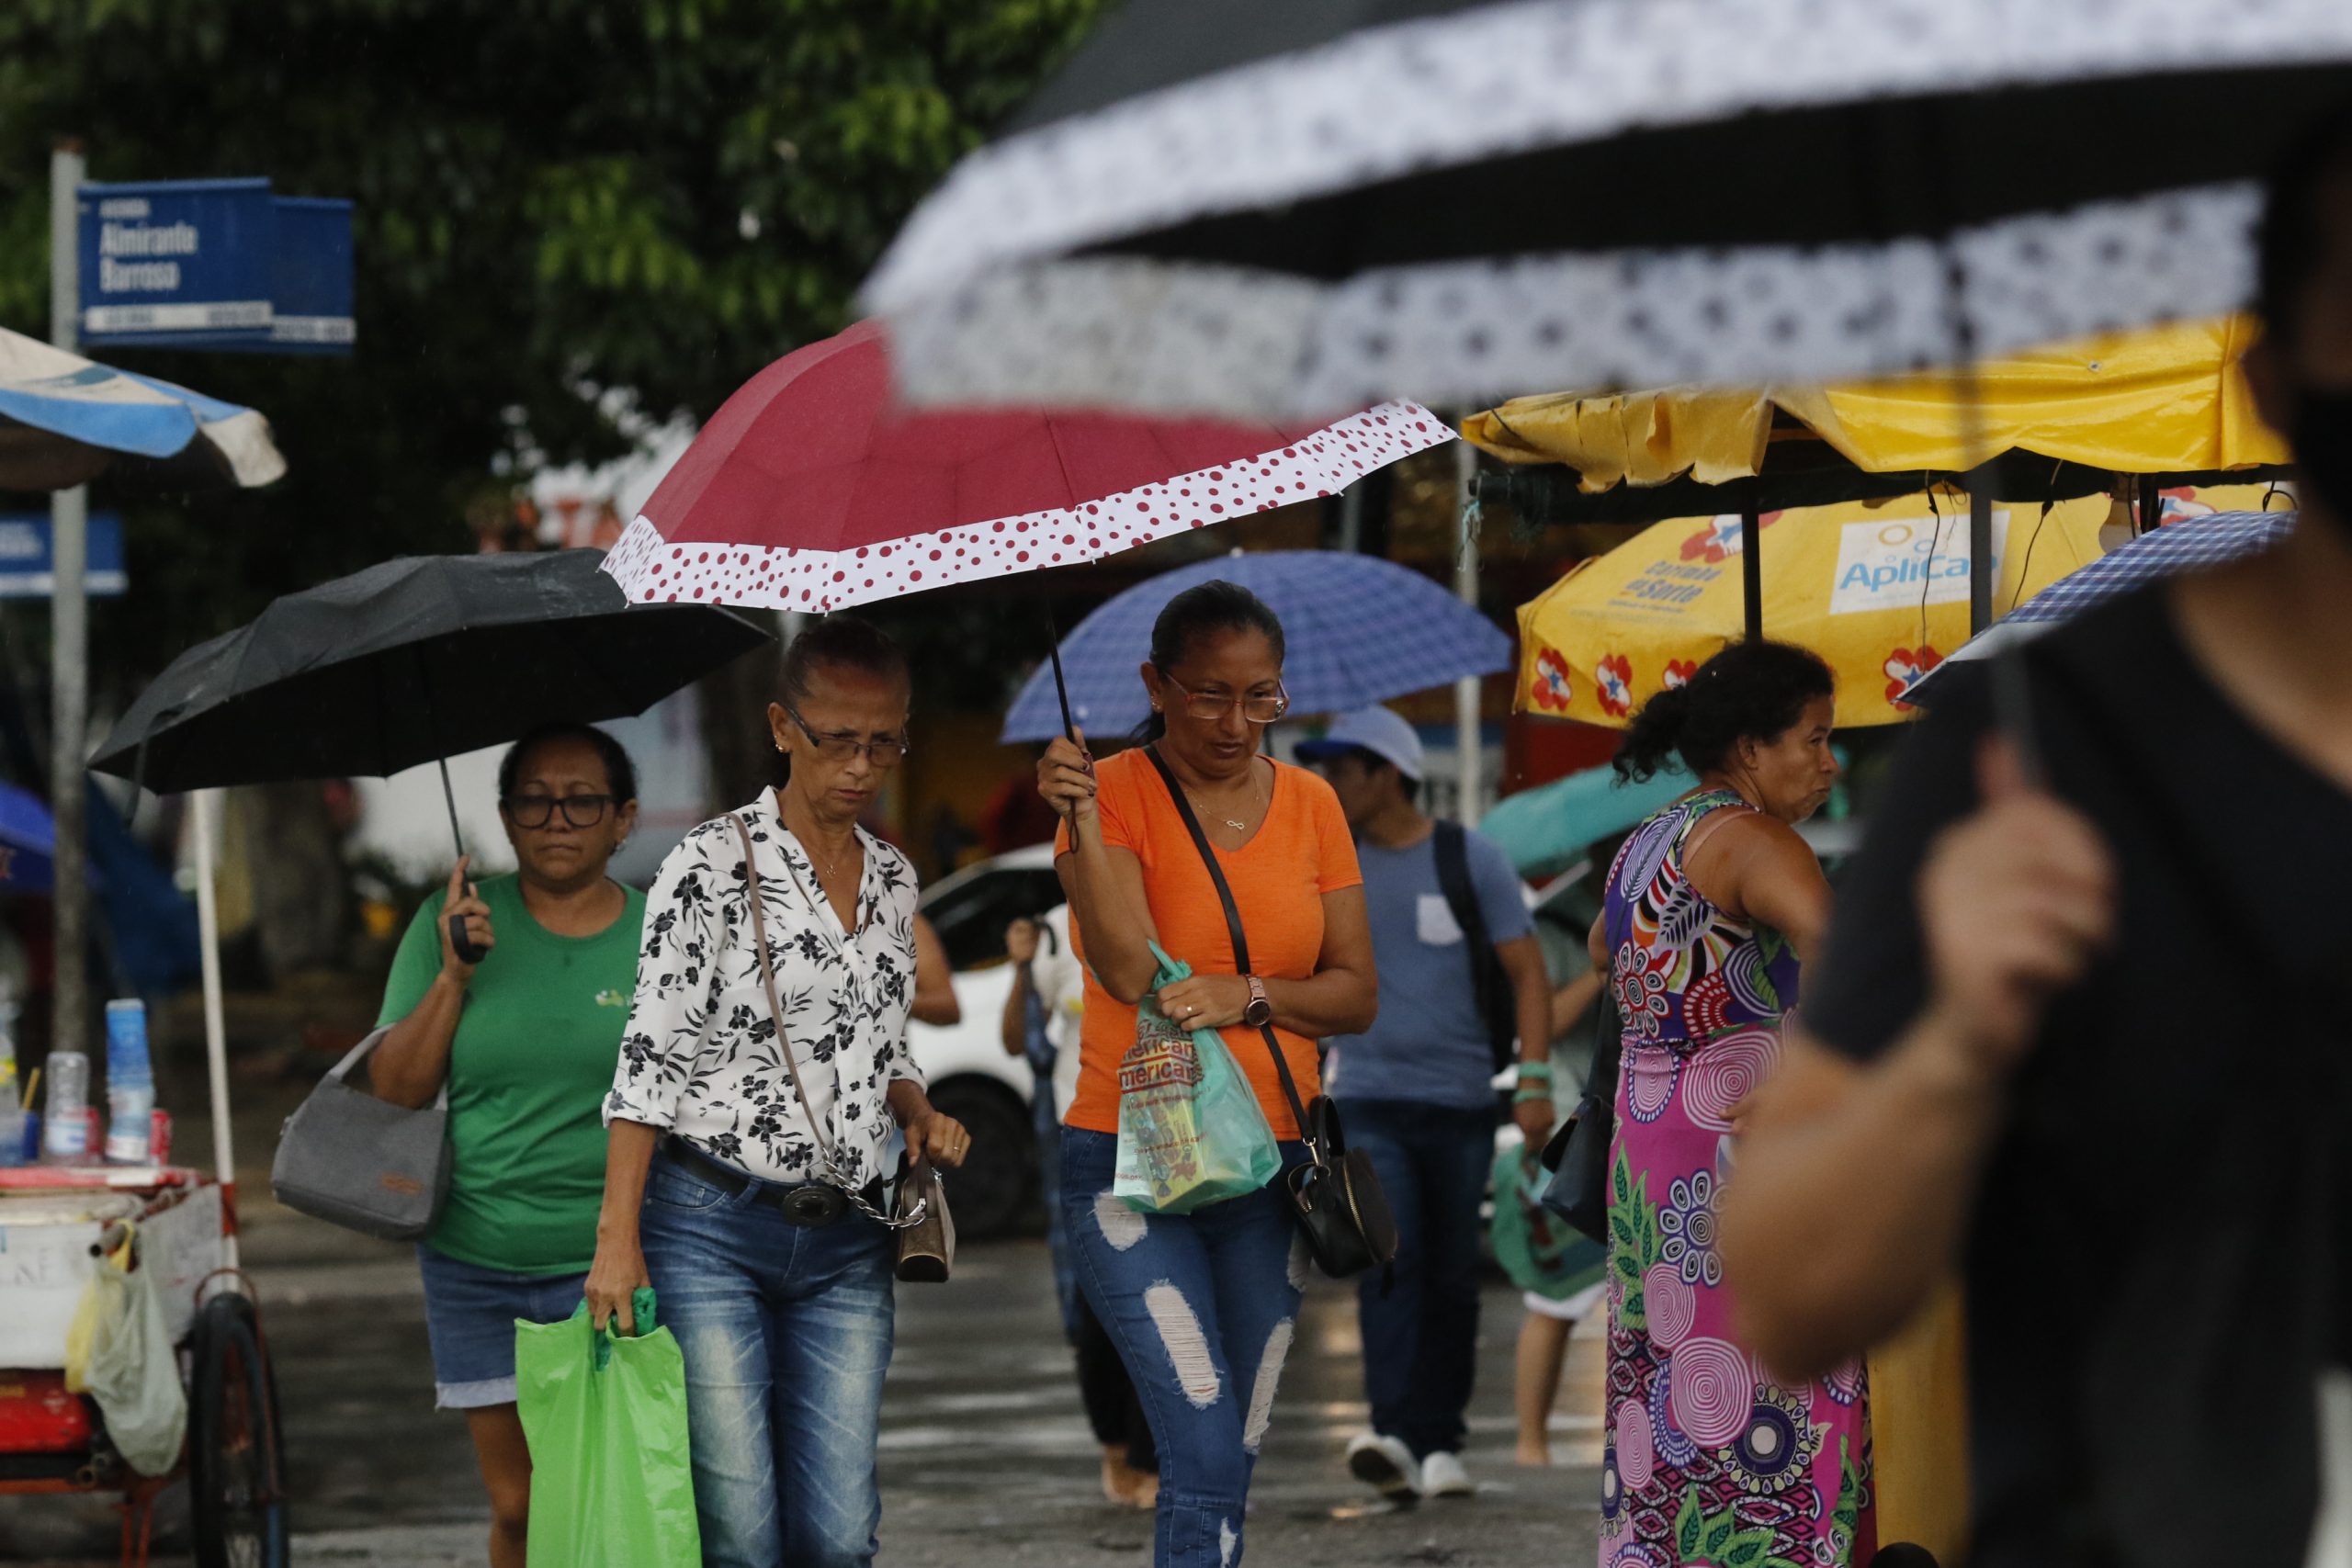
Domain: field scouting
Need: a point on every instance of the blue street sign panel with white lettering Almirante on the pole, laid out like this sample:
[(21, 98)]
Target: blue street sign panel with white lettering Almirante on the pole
[(178, 262)]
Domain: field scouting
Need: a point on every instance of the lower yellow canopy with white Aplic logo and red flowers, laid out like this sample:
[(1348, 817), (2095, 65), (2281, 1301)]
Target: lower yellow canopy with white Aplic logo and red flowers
[(1880, 589)]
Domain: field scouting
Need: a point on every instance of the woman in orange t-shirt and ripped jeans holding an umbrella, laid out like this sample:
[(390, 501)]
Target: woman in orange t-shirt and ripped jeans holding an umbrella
[(1203, 1306)]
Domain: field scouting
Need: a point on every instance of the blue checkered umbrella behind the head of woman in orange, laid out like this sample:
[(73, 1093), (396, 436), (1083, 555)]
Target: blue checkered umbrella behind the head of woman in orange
[(1358, 631)]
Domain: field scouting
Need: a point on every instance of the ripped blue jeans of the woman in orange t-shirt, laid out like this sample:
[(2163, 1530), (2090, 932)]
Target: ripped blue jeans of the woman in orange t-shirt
[(1203, 1311)]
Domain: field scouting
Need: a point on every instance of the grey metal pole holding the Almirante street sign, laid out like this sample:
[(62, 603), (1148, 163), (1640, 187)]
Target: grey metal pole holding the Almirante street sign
[(69, 641)]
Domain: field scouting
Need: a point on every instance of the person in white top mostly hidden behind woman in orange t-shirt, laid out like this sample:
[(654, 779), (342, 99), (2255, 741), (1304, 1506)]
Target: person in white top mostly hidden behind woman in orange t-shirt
[(1043, 1021)]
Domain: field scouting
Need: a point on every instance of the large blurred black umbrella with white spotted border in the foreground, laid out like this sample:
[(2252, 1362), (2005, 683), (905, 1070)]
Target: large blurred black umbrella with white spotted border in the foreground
[(1288, 208)]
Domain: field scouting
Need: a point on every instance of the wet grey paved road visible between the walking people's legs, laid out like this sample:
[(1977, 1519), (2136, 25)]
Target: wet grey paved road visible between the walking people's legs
[(987, 1461)]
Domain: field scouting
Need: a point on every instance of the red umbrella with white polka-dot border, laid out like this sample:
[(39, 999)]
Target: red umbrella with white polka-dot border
[(813, 490)]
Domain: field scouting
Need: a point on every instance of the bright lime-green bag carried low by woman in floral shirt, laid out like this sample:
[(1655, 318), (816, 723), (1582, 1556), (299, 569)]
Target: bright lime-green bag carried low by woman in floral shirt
[(606, 1416)]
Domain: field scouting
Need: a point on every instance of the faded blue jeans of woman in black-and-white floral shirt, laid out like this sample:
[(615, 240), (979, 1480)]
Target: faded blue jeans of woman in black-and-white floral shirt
[(787, 1334)]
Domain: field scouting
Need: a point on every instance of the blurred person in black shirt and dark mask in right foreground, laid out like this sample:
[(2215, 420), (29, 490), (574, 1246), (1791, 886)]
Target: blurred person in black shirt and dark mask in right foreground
[(2078, 1038)]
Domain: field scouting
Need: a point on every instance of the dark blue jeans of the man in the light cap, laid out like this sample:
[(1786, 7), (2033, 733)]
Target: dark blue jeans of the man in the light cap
[(1422, 1334)]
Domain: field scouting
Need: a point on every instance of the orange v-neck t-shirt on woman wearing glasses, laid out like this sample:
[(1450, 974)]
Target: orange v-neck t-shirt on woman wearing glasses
[(1278, 880)]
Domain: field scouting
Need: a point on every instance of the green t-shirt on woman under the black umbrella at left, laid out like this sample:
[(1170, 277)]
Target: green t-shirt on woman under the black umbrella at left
[(528, 1078)]
